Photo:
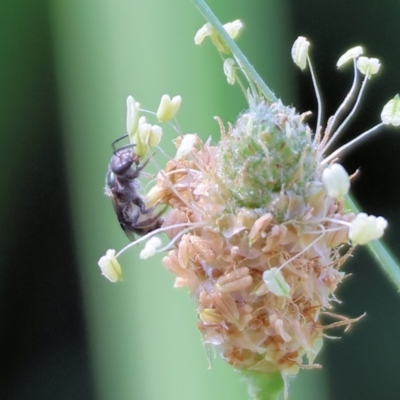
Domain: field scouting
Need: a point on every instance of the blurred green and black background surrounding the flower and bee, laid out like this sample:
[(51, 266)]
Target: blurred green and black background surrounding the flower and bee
[(66, 70)]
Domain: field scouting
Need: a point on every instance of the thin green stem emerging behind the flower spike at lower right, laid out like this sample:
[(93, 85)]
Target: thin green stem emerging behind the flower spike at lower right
[(380, 253)]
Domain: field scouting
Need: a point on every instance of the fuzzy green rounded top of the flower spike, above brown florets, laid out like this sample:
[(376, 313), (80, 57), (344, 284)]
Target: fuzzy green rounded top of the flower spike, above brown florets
[(268, 151)]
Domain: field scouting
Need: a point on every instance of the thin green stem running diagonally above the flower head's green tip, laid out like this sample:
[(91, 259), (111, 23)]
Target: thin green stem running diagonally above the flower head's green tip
[(240, 57)]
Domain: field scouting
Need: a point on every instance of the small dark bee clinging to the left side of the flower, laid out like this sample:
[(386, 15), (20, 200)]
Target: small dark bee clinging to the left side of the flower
[(122, 186)]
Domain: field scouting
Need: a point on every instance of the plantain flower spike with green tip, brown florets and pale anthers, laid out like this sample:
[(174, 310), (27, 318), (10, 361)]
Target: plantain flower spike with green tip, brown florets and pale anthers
[(259, 230)]
